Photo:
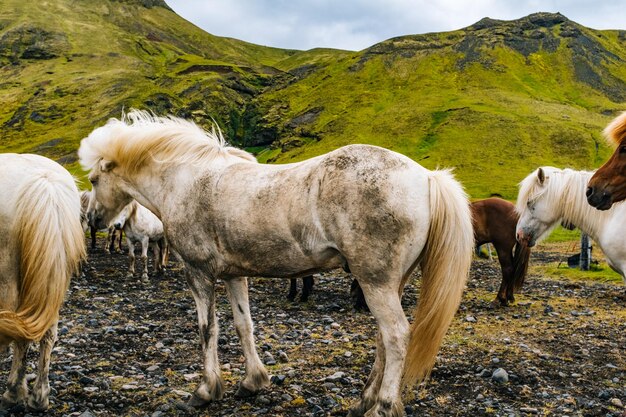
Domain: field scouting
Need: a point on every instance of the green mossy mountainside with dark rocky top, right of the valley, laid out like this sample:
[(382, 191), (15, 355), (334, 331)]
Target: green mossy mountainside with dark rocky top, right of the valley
[(495, 100)]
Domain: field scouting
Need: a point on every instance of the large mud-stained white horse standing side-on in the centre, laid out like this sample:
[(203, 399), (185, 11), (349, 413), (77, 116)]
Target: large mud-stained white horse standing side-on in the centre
[(376, 212)]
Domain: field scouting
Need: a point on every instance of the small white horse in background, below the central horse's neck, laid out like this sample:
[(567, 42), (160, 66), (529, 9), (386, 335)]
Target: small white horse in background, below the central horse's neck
[(141, 226)]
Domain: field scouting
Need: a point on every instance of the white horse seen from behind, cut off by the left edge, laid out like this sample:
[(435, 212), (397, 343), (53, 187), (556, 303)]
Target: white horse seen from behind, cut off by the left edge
[(41, 246)]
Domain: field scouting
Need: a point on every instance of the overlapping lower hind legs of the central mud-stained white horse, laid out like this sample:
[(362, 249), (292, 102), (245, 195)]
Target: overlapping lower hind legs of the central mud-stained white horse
[(381, 398)]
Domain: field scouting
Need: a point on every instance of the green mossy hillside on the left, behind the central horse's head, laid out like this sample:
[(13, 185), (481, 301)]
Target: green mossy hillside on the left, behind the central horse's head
[(66, 66)]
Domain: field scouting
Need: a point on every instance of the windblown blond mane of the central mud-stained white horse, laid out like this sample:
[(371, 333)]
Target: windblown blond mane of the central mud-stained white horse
[(139, 138)]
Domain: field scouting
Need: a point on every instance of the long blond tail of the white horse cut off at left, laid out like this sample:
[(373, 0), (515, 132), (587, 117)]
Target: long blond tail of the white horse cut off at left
[(51, 245)]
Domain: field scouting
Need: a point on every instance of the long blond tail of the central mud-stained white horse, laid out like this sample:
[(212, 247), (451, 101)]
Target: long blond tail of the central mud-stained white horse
[(445, 267)]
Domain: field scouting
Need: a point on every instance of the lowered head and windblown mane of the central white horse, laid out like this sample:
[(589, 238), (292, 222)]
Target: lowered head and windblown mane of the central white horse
[(143, 144)]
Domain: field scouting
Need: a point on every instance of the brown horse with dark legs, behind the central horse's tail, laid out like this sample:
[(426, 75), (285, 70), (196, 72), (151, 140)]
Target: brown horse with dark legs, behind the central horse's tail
[(494, 221)]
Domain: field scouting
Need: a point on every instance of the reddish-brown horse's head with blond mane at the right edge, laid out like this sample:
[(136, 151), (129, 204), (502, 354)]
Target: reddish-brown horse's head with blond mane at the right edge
[(608, 184)]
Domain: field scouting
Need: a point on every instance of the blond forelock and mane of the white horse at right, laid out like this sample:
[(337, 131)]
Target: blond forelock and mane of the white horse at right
[(566, 190)]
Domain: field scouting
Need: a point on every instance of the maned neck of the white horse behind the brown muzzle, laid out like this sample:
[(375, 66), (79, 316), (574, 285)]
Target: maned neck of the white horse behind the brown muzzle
[(574, 206)]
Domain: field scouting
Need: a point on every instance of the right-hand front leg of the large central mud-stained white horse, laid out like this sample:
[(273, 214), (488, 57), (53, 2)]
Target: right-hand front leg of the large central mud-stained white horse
[(256, 376)]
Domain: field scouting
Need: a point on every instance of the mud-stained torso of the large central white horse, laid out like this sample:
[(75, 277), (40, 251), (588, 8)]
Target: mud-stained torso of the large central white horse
[(305, 216)]
